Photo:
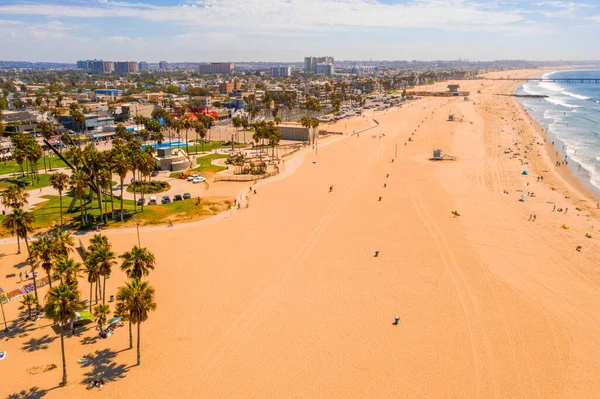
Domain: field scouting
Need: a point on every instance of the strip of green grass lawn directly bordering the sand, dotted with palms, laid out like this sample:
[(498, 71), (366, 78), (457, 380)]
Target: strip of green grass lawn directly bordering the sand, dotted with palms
[(47, 214)]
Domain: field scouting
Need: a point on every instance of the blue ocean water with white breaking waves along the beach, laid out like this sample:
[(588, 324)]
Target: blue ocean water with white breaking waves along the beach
[(571, 115)]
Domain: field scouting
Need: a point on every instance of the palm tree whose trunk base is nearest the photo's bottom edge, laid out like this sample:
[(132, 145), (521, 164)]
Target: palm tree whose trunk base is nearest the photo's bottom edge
[(61, 303)]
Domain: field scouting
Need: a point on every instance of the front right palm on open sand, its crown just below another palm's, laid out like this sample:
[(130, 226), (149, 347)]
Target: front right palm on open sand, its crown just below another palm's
[(140, 301)]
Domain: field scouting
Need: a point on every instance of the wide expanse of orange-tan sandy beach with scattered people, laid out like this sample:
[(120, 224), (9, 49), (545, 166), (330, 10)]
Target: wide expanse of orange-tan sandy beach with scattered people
[(285, 299)]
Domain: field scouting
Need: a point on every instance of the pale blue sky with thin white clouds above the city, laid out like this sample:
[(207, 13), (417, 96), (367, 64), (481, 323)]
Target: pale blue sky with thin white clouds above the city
[(288, 30)]
